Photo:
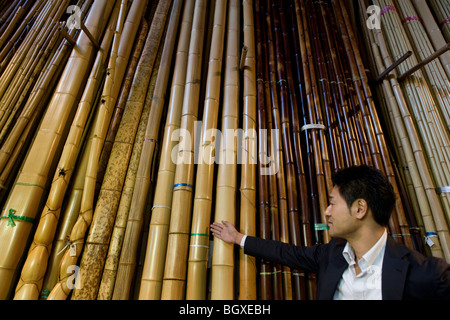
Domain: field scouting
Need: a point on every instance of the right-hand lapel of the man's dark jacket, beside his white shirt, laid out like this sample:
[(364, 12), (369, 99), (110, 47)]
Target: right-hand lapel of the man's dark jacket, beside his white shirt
[(394, 271)]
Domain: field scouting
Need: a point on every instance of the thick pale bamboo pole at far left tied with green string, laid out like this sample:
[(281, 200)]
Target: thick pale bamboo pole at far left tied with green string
[(26, 195)]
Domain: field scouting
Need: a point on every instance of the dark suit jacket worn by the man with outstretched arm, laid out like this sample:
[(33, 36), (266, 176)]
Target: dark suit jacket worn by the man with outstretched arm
[(406, 274)]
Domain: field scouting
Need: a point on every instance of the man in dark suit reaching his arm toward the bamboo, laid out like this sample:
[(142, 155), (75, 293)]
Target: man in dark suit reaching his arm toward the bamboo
[(361, 261)]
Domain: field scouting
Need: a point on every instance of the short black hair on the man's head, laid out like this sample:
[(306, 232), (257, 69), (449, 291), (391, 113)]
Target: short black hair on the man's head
[(370, 184)]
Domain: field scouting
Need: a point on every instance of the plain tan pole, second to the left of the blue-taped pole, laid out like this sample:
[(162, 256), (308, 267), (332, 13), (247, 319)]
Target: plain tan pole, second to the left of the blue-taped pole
[(128, 258)]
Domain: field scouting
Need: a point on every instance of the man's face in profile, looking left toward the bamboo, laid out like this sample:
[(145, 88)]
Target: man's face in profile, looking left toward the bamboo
[(340, 218)]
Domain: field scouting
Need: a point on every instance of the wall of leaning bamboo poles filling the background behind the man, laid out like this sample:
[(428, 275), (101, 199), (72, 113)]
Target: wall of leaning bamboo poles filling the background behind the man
[(137, 181)]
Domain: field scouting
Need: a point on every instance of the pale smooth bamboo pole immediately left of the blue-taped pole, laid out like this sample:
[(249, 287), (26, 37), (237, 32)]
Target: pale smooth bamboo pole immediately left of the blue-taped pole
[(151, 282)]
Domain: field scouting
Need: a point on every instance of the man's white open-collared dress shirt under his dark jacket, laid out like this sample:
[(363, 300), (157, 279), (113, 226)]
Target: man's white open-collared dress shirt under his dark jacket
[(367, 284)]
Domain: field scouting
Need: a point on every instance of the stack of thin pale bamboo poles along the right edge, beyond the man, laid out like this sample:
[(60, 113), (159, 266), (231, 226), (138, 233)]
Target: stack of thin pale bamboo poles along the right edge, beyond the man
[(425, 93)]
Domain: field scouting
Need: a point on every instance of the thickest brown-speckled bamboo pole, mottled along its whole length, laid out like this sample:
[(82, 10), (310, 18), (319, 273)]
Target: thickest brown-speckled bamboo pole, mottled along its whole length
[(97, 242)]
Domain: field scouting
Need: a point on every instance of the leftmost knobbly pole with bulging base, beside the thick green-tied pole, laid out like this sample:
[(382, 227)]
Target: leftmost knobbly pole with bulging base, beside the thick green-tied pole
[(35, 265)]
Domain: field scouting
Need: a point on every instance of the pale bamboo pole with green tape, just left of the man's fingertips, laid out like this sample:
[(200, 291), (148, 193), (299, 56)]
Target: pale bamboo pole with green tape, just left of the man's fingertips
[(201, 219)]
